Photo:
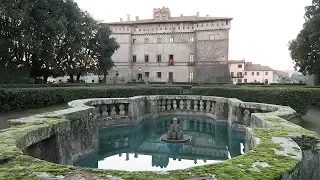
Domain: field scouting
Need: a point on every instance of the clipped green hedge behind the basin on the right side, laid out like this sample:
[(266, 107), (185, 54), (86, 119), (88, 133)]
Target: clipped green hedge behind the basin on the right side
[(300, 99)]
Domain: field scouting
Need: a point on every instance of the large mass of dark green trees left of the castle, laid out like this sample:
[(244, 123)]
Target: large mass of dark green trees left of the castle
[(42, 38)]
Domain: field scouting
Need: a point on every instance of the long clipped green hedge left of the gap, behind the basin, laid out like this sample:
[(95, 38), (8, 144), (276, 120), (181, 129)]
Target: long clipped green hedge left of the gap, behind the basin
[(25, 98)]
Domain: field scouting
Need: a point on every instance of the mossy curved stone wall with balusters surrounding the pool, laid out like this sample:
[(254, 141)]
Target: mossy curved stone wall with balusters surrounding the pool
[(277, 149)]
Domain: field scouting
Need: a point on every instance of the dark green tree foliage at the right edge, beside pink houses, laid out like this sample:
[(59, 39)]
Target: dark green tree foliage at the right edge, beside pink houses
[(305, 49)]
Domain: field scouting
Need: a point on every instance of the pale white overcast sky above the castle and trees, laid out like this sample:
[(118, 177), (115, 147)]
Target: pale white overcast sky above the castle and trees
[(260, 32)]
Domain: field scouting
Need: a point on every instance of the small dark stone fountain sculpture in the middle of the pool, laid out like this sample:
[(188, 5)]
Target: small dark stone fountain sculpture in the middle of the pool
[(175, 134)]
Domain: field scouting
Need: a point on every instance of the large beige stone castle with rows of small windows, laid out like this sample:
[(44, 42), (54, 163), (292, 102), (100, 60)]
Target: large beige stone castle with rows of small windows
[(171, 49)]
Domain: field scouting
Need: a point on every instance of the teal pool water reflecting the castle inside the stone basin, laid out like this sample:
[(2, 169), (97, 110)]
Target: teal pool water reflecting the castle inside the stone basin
[(140, 148)]
